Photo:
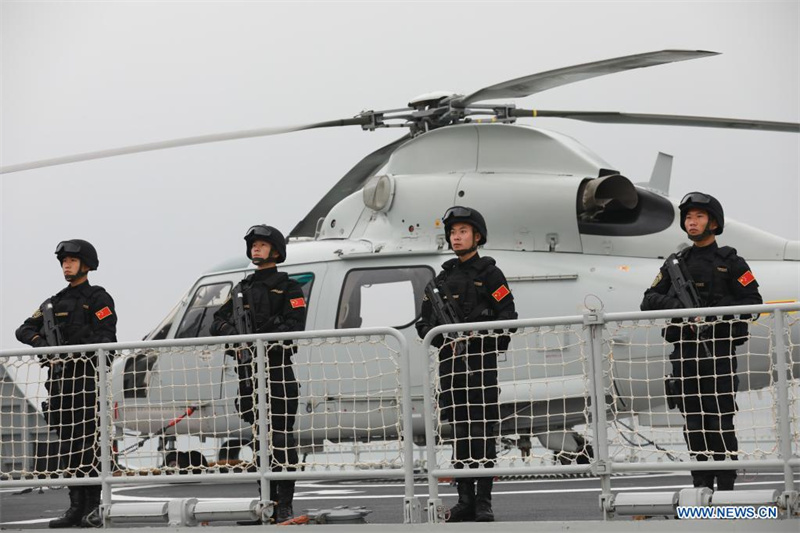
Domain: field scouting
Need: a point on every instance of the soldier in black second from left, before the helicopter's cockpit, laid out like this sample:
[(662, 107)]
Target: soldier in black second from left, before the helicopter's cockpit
[(271, 303)]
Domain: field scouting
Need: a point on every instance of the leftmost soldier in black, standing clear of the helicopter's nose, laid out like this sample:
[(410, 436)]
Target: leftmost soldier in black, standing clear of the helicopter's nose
[(79, 314)]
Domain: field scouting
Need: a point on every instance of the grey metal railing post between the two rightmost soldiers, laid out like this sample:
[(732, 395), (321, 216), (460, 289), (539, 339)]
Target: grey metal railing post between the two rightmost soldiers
[(593, 326)]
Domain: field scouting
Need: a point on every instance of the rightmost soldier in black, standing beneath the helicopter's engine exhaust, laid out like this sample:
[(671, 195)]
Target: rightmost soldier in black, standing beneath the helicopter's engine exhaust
[(704, 382)]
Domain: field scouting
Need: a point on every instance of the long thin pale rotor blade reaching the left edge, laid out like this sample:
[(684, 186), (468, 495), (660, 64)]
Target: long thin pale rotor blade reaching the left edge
[(361, 120)]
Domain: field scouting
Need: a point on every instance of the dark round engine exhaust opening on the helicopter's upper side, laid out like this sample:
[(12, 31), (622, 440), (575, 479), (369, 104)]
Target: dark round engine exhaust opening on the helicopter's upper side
[(612, 205)]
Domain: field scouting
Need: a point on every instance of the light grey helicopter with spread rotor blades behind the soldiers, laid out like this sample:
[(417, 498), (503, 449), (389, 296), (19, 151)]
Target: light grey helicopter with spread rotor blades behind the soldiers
[(573, 226)]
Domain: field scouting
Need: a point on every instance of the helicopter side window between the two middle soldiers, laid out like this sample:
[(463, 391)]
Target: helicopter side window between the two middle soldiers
[(382, 297)]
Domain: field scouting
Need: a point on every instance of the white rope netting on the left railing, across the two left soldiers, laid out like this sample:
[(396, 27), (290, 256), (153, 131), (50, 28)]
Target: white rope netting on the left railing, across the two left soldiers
[(197, 409)]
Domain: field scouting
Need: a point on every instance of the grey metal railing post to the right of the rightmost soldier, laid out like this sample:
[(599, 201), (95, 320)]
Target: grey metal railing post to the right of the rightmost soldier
[(784, 424)]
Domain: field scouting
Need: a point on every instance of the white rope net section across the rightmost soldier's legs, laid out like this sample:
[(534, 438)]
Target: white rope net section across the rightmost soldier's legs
[(711, 393)]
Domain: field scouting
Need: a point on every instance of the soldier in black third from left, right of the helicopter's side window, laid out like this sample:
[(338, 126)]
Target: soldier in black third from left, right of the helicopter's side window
[(479, 292)]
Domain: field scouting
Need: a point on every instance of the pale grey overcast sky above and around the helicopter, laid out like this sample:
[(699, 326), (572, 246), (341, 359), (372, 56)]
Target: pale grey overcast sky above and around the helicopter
[(81, 76)]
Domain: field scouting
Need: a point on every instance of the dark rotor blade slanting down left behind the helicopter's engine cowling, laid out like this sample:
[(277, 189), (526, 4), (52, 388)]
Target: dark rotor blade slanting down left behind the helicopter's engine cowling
[(351, 182)]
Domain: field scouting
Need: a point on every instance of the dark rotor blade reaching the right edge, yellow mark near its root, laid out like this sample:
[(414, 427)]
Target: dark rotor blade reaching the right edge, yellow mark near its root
[(612, 117)]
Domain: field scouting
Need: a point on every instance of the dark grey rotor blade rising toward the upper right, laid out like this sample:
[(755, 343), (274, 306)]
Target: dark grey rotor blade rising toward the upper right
[(536, 83)]
